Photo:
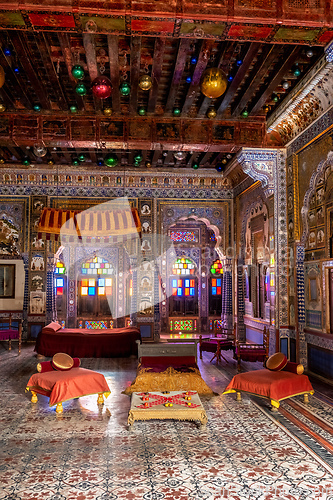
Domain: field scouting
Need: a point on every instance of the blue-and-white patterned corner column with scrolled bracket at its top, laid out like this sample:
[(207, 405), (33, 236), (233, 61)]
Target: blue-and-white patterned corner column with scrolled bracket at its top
[(269, 167)]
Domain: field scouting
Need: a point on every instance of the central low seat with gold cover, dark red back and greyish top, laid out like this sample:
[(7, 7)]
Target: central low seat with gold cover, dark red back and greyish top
[(168, 367)]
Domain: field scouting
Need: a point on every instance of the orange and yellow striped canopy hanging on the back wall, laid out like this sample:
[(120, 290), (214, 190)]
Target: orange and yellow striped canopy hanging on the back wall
[(89, 225)]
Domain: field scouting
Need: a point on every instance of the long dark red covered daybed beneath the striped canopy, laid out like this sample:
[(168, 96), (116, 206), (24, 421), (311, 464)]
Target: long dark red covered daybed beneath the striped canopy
[(84, 343)]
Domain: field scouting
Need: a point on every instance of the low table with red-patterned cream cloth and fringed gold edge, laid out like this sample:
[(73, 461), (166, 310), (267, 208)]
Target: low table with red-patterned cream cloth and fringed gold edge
[(178, 405)]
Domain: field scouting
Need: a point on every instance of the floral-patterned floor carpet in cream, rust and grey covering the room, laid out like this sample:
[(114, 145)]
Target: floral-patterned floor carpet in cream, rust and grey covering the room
[(244, 452)]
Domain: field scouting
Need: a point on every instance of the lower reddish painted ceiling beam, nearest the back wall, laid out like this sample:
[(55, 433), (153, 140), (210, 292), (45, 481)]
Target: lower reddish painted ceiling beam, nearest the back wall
[(130, 133)]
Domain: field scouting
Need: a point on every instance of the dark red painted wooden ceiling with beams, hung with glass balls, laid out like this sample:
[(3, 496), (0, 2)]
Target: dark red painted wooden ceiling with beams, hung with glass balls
[(264, 54)]
